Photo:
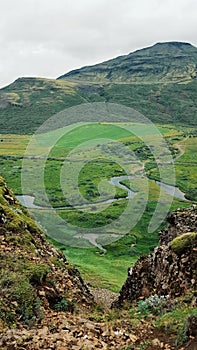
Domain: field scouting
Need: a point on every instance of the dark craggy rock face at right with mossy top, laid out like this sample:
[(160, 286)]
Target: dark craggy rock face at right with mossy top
[(172, 268)]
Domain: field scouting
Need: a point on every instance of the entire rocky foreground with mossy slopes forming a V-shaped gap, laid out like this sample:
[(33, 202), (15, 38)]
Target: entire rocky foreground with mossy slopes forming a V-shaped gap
[(45, 304)]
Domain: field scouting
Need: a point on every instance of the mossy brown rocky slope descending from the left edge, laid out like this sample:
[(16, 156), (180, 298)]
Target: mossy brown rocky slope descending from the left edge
[(34, 276)]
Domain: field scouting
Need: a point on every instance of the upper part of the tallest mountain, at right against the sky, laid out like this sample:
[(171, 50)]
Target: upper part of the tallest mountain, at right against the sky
[(173, 62)]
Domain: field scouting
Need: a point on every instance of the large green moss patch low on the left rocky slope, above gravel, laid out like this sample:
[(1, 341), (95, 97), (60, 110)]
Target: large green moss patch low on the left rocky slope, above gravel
[(18, 281)]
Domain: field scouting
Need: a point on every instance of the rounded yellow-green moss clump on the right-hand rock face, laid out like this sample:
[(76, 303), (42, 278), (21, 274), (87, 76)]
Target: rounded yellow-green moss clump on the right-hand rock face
[(183, 242)]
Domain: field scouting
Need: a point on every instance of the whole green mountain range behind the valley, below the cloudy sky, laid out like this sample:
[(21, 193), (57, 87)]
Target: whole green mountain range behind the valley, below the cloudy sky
[(158, 81)]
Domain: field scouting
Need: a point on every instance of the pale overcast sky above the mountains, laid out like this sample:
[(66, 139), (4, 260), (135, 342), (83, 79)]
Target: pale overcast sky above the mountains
[(47, 38)]
